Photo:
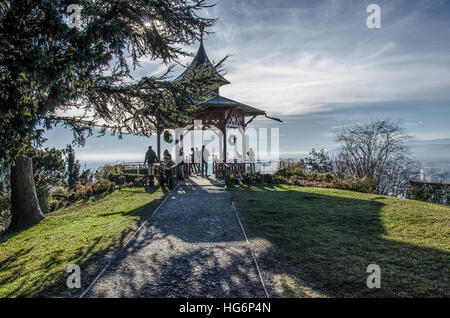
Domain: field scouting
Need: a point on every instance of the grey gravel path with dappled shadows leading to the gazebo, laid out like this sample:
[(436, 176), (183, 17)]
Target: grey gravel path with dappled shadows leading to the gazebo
[(193, 247)]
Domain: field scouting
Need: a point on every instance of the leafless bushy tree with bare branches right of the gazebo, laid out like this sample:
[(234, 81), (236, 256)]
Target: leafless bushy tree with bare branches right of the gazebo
[(376, 150)]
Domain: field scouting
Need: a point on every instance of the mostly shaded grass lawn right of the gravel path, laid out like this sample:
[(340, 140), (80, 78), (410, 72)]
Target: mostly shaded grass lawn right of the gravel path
[(324, 239)]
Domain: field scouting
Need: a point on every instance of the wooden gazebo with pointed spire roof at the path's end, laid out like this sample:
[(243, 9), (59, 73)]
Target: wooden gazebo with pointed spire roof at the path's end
[(222, 112)]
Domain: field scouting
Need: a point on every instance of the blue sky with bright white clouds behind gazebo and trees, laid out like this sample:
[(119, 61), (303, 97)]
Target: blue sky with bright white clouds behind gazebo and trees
[(316, 65)]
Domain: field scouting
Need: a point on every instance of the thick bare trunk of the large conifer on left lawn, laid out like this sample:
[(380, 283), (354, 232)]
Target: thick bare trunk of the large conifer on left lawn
[(24, 202)]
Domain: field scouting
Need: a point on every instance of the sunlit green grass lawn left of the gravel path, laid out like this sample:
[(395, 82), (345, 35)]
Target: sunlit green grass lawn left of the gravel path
[(33, 262)]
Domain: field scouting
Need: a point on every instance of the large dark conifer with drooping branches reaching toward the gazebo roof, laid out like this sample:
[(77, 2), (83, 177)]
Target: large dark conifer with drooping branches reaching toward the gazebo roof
[(48, 68)]
